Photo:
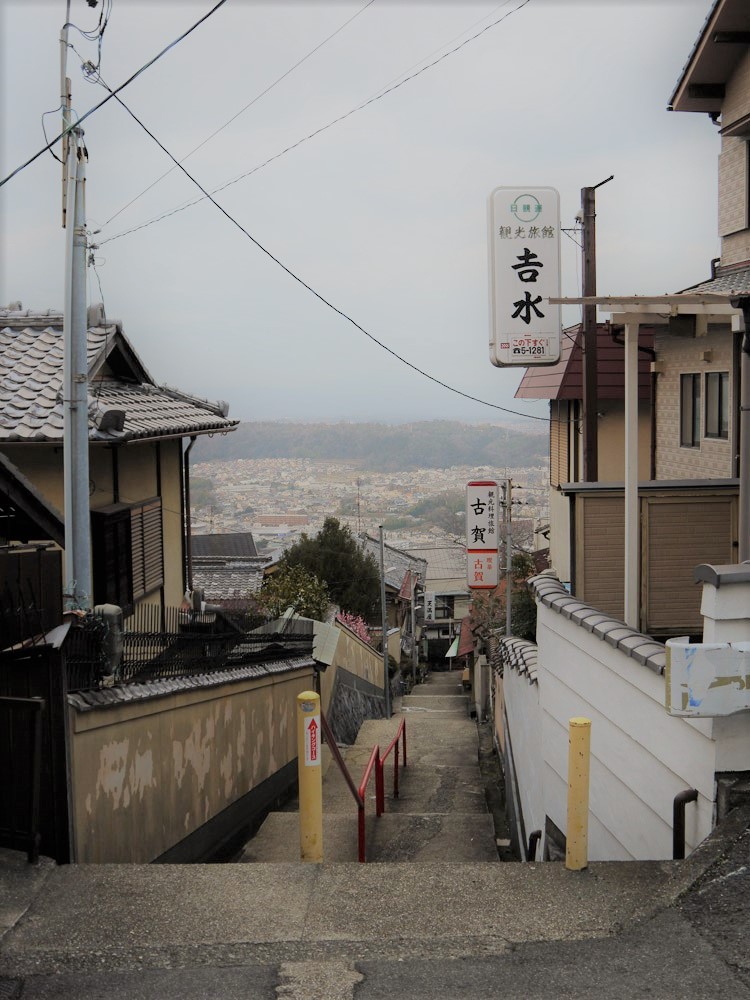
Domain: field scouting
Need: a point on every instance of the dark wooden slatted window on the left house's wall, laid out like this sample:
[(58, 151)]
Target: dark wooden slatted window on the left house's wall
[(128, 560)]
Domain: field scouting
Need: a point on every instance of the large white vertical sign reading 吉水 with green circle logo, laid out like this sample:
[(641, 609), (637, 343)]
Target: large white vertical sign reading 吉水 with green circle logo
[(524, 258)]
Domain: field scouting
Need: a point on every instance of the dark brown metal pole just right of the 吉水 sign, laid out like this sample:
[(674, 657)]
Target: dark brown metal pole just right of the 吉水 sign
[(588, 326)]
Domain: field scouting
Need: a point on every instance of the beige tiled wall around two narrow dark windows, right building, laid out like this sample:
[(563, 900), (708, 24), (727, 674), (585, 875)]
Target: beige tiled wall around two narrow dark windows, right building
[(683, 355)]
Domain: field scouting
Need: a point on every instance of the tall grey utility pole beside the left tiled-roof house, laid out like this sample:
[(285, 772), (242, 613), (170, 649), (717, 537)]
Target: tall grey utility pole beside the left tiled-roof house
[(78, 586)]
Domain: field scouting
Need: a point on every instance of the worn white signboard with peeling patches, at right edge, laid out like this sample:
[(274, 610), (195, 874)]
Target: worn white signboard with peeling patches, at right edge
[(707, 679)]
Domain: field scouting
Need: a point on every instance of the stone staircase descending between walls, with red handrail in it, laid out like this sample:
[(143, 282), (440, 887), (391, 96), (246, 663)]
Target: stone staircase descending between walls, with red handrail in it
[(441, 813)]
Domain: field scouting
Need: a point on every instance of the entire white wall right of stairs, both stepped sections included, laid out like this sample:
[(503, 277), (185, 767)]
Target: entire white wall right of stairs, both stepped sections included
[(640, 756)]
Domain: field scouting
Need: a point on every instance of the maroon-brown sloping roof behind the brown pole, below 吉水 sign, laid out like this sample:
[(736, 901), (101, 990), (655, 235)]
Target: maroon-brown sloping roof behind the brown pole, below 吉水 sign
[(565, 379)]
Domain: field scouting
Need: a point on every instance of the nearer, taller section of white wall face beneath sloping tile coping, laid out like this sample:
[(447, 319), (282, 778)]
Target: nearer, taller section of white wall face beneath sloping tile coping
[(640, 756)]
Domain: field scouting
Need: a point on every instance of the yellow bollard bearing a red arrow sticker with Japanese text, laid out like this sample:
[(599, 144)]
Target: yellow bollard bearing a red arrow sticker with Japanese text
[(310, 777)]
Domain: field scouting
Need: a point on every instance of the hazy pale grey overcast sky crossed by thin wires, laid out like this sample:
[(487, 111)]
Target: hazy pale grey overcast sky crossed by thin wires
[(383, 214)]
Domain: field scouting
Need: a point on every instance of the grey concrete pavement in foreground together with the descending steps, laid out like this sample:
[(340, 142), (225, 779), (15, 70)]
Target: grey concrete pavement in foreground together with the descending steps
[(427, 920)]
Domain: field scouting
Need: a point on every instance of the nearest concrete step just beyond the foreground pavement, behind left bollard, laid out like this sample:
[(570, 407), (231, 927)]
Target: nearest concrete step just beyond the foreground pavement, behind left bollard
[(457, 837)]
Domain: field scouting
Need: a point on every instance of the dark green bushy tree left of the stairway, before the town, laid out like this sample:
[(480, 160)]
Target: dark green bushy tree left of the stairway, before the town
[(334, 556)]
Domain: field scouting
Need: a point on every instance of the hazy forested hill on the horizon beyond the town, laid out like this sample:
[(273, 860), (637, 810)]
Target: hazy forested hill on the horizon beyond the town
[(435, 444)]
